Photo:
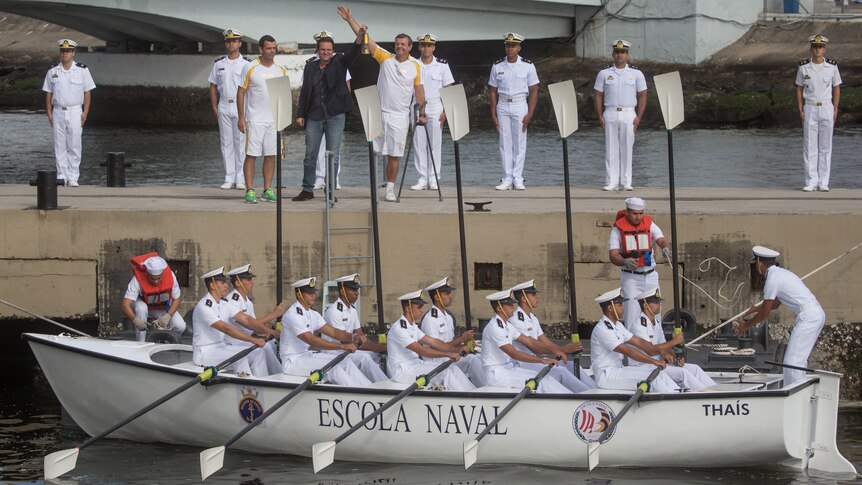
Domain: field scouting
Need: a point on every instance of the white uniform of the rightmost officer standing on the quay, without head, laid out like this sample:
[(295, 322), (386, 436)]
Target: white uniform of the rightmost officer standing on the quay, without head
[(817, 81)]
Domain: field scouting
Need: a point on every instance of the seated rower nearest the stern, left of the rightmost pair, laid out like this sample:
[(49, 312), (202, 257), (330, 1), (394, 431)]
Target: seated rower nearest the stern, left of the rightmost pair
[(611, 341)]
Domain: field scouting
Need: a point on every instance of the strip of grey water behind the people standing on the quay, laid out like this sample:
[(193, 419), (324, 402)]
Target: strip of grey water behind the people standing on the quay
[(703, 157)]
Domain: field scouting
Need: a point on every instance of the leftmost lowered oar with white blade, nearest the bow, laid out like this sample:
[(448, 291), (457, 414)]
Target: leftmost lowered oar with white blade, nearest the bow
[(62, 461)]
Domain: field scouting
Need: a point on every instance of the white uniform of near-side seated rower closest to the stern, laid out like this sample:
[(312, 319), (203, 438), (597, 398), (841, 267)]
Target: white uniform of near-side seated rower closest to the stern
[(607, 364)]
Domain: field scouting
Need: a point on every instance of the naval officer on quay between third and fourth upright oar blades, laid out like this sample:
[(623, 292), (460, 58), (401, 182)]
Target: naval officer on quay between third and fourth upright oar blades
[(514, 92)]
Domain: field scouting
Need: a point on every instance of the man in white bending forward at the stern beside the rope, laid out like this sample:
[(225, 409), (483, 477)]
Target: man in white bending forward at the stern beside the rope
[(782, 286)]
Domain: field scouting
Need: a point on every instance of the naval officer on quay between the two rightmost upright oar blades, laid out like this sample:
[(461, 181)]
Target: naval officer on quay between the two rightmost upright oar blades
[(620, 89)]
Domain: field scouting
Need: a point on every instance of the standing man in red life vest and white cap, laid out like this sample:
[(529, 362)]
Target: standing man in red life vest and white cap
[(631, 248)]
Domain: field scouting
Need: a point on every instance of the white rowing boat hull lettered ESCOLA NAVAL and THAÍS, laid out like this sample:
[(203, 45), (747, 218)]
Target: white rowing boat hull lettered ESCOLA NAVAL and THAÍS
[(745, 420)]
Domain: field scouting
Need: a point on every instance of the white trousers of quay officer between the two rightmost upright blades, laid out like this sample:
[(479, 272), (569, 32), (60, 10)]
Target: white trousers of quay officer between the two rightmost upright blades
[(619, 141)]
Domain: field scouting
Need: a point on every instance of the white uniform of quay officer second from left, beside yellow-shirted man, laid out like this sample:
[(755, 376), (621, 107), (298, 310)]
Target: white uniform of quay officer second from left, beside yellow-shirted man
[(226, 76)]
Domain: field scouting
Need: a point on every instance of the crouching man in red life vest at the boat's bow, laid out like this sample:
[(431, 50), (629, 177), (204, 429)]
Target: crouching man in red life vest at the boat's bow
[(153, 294)]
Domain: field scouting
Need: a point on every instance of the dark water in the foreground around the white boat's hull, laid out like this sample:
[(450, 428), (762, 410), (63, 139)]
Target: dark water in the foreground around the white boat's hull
[(31, 427)]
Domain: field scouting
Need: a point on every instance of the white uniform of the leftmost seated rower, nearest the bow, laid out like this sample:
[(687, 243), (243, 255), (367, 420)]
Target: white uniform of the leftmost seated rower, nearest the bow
[(209, 347)]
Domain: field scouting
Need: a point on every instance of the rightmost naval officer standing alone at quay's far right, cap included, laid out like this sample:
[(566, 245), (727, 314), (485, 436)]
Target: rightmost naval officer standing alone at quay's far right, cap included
[(818, 84)]
